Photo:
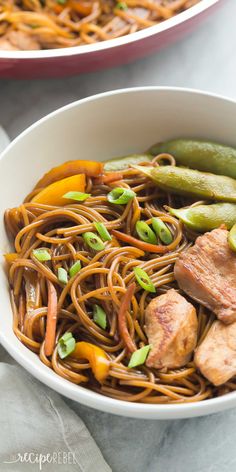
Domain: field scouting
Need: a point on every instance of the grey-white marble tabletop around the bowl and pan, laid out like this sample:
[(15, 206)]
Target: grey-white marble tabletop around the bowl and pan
[(205, 60)]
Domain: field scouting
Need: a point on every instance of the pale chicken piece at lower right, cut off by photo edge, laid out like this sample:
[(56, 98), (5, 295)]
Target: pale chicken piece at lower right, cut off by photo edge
[(216, 356)]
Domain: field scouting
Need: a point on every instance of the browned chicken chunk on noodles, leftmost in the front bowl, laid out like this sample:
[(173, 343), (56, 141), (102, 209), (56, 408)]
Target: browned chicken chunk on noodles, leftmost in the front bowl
[(171, 328)]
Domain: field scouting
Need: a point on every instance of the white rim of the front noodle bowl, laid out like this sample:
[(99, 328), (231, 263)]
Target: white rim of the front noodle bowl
[(90, 398)]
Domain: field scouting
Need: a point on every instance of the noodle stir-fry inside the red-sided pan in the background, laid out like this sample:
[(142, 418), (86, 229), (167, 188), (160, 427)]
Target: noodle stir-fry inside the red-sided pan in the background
[(28, 25)]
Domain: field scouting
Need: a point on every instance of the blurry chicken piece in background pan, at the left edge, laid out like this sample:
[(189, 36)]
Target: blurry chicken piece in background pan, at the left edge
[(18, 40)]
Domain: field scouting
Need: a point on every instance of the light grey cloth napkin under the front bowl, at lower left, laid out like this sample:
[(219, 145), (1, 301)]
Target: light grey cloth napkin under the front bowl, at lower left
[(38, 431)]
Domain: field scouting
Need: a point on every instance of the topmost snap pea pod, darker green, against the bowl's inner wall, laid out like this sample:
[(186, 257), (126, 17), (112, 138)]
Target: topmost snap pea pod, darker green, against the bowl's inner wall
[(201, 155)]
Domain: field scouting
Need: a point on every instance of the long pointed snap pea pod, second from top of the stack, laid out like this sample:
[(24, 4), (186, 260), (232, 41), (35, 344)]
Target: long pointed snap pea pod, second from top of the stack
[(182, 181)]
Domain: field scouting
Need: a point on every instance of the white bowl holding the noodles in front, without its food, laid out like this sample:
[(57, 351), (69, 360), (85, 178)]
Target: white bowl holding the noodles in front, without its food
[(100, 127)]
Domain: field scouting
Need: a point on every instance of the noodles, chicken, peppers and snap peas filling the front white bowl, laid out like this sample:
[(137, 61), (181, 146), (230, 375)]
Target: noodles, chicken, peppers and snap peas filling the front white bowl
[(113, 283)]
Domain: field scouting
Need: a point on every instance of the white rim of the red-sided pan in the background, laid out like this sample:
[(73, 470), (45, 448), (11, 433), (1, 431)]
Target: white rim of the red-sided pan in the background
[(112, 43)]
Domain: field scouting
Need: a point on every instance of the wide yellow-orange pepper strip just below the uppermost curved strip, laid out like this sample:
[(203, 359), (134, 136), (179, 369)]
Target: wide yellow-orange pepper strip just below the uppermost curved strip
[(53, 194)]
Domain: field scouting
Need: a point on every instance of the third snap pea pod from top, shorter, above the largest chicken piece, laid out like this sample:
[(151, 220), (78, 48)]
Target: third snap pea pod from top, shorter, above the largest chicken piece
[(203, 218)]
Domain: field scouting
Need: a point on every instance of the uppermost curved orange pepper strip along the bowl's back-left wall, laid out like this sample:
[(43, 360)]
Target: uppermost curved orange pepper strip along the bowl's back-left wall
[(89, 168)]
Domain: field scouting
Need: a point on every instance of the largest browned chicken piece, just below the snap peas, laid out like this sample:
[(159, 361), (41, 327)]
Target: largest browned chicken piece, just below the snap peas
[(207, 273)]
